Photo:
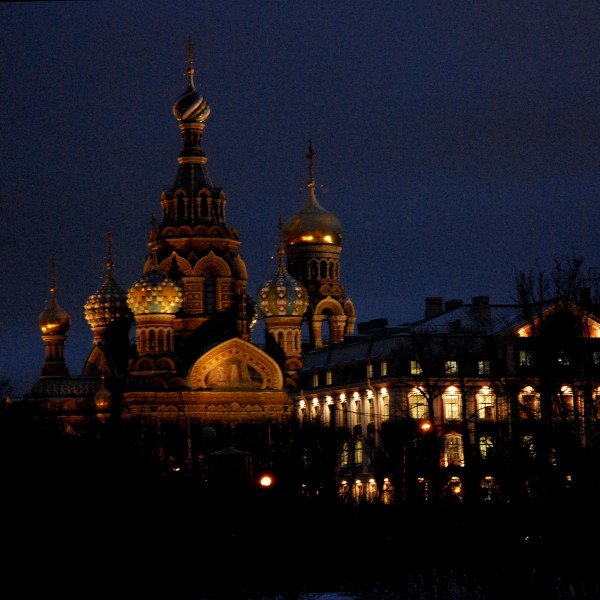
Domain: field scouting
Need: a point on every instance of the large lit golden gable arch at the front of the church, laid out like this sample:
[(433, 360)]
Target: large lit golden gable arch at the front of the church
[(235, 364)]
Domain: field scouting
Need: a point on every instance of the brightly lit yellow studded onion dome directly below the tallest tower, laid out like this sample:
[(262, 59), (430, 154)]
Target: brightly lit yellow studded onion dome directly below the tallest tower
[(154, 293)]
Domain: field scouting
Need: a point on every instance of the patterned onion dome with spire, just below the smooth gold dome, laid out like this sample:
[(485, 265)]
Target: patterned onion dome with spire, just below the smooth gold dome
[(282, 296)]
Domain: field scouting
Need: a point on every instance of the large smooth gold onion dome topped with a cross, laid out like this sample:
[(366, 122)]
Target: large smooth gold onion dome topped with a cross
[(312, 224)]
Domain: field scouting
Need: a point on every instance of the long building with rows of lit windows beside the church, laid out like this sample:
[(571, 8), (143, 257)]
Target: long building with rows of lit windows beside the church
[(473, 399)]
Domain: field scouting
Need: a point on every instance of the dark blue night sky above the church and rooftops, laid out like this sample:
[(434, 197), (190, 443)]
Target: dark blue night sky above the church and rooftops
[(457, 142)]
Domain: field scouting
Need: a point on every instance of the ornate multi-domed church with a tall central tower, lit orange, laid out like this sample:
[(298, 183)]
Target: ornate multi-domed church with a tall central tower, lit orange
[(194, 381)]
